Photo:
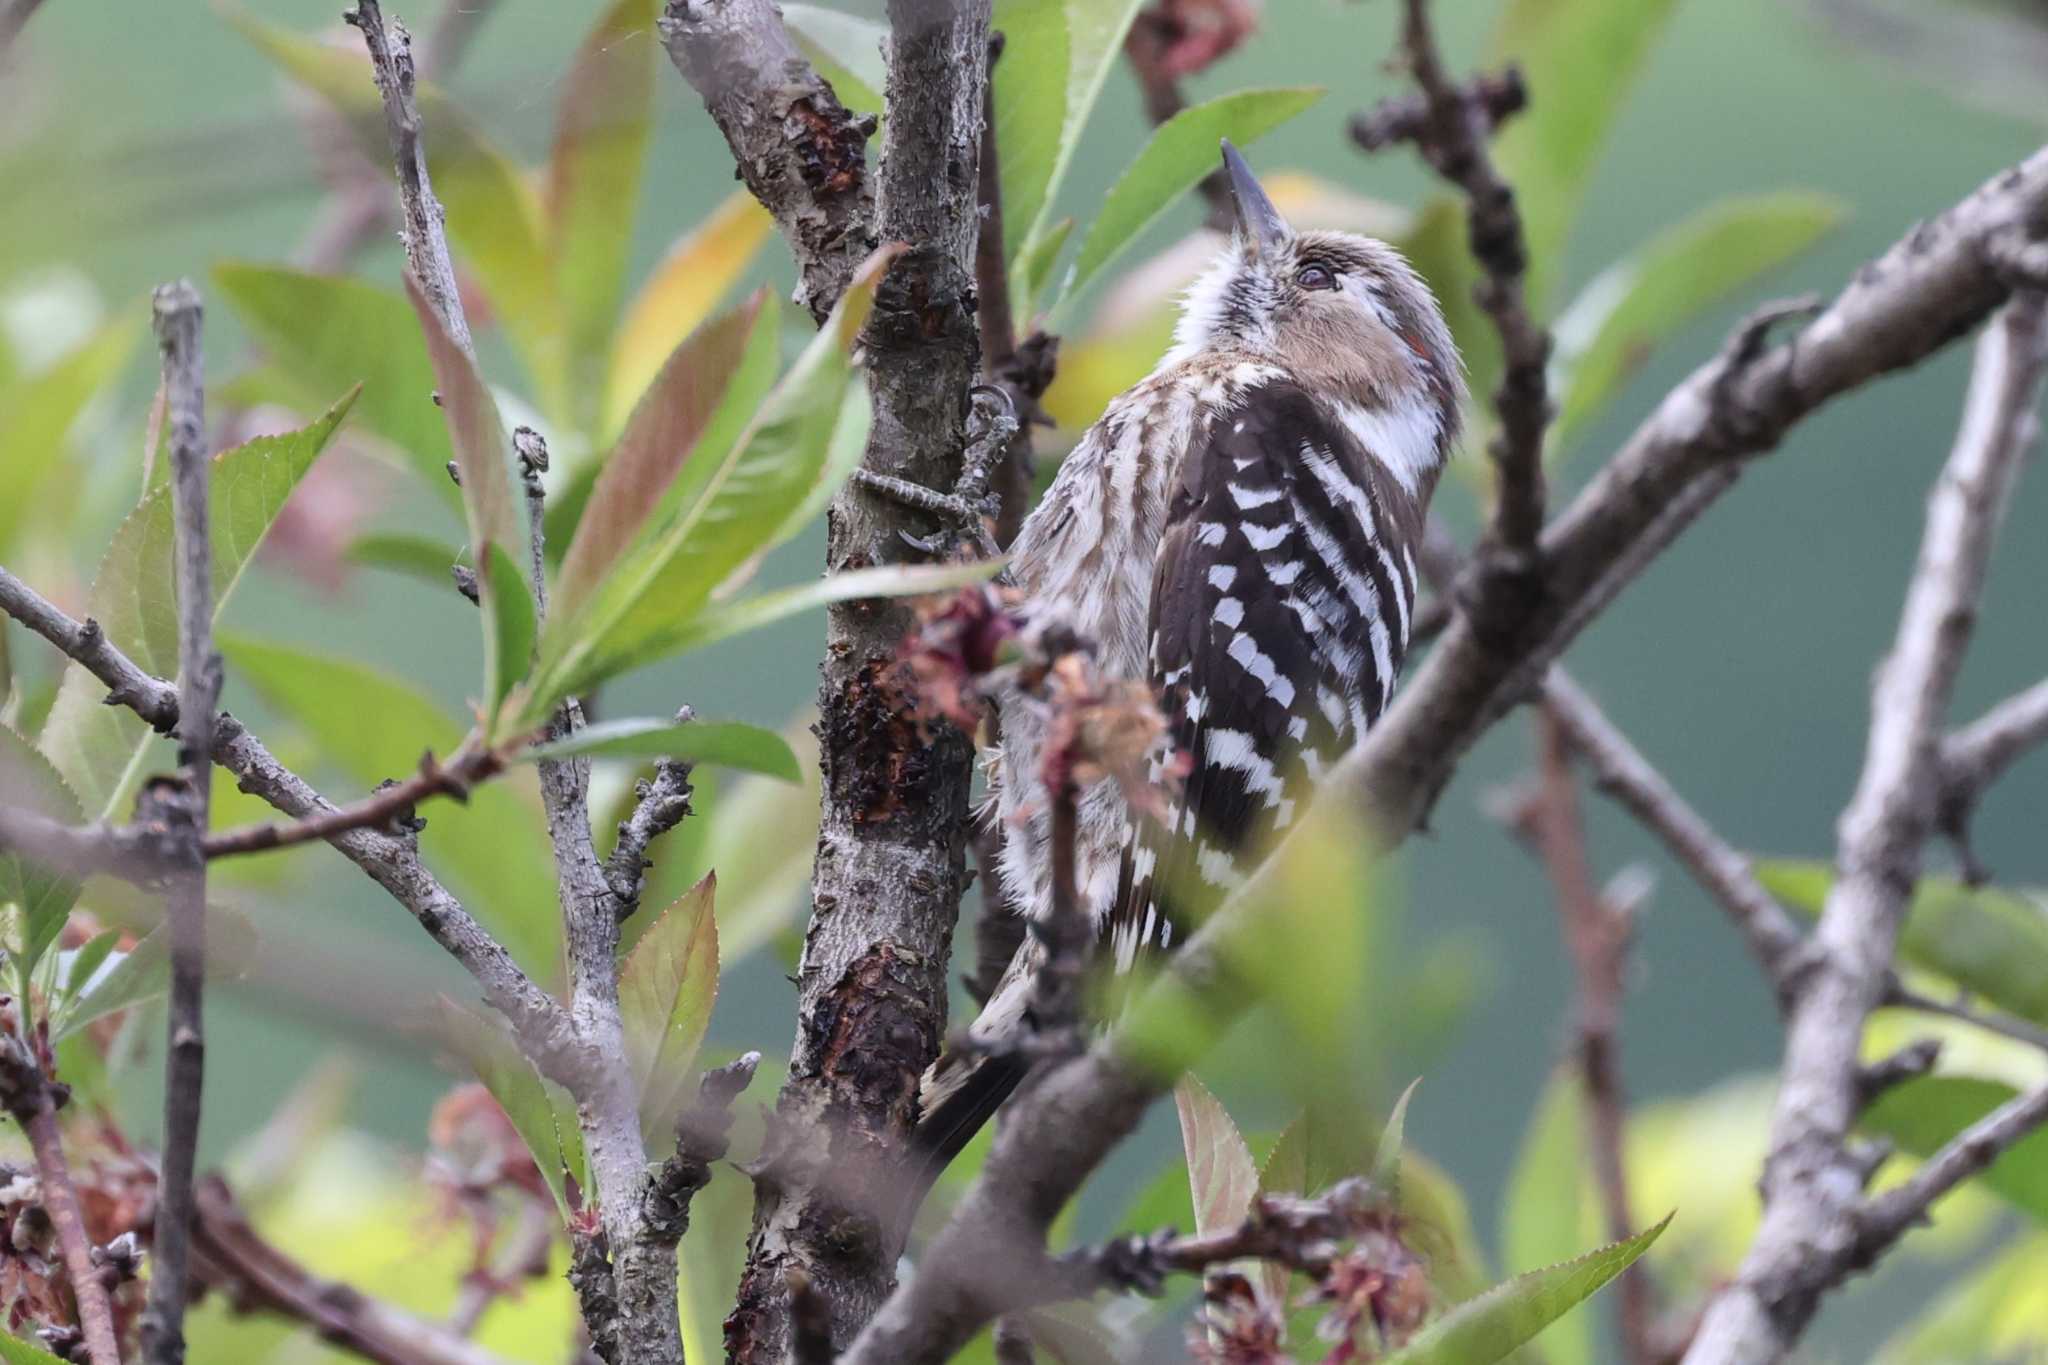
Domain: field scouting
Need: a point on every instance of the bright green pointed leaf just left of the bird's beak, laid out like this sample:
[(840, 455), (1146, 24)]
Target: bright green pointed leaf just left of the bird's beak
[(1181, 152)]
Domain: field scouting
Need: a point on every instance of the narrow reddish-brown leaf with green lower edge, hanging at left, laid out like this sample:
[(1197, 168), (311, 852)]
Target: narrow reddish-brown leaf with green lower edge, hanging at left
[(490, 498)]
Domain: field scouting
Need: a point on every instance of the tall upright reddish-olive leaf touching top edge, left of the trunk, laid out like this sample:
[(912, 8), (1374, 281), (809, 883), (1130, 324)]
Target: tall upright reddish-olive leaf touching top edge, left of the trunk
[(593, 189)]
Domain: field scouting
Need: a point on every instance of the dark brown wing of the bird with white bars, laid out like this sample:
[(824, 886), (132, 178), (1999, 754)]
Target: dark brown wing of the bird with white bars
[(1279, 619)]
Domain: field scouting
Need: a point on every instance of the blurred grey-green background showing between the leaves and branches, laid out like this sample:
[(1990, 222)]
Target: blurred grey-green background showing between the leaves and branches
[(153, 142)]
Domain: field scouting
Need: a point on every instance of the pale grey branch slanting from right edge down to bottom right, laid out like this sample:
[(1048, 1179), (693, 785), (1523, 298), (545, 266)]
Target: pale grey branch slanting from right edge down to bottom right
[(1816, 1229)]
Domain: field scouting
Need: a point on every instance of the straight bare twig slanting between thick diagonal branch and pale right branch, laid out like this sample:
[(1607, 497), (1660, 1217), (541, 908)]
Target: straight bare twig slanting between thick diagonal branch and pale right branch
[(1719, 867)]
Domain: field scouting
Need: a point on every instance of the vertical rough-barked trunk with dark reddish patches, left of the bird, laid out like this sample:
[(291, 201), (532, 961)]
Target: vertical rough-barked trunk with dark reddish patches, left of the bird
[(871, 989)]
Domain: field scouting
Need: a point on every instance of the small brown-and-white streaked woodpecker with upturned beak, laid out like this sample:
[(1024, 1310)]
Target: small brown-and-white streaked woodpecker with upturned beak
[(1240, 529)]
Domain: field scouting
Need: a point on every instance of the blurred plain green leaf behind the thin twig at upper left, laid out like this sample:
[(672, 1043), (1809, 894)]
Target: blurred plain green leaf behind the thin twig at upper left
[(318, 331)]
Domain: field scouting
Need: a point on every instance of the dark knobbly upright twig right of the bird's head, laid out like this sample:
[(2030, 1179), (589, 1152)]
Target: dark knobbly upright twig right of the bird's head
[(1451, 132)]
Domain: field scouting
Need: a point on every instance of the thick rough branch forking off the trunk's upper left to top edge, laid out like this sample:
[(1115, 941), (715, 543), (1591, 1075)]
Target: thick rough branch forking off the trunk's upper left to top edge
[(802, 155)]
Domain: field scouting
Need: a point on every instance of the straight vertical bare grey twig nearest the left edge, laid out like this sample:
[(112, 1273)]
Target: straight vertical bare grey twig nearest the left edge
[(200, 689)]
